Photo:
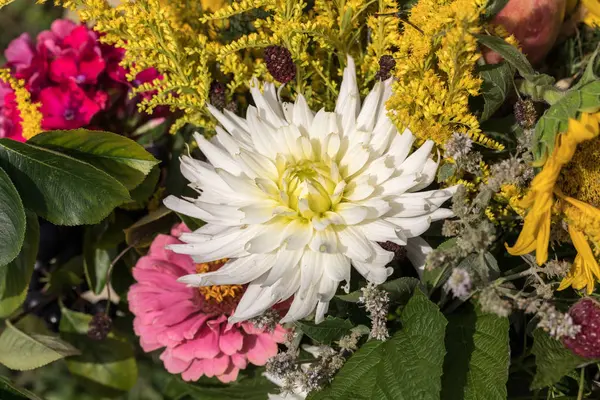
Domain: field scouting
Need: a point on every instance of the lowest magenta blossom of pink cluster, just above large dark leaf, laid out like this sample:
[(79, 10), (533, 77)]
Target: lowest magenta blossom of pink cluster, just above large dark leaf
[(68, 106)]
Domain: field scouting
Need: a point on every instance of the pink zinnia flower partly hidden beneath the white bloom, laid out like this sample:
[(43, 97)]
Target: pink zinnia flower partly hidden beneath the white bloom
[(190, 323)]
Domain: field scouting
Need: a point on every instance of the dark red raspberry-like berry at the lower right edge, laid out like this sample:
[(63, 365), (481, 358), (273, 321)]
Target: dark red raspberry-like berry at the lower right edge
[(586, 314)]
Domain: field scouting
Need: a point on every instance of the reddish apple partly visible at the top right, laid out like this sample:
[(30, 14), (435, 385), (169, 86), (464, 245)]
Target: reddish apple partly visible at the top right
[(535, 23)]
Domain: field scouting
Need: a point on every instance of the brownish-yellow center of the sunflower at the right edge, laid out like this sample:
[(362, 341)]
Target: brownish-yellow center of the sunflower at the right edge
[(580, 178)]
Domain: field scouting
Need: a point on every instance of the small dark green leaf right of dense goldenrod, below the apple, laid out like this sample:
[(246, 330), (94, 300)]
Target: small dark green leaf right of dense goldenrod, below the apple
[(497, 84)]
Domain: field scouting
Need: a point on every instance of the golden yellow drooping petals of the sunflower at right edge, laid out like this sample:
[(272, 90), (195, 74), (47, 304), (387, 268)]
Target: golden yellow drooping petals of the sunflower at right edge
[(548, 194)]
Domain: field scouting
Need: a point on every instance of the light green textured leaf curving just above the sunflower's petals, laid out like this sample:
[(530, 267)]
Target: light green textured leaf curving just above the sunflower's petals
[(556, 118)]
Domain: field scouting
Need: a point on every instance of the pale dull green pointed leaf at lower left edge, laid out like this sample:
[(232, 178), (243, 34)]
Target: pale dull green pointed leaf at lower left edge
[(23, 352)]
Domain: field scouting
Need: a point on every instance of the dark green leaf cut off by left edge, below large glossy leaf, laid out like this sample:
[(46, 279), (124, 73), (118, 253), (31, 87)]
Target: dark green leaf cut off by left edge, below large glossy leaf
[(12, 220)]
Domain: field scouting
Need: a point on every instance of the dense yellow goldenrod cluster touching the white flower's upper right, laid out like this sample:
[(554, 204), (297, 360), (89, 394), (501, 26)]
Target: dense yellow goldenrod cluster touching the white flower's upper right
[(437, 55)]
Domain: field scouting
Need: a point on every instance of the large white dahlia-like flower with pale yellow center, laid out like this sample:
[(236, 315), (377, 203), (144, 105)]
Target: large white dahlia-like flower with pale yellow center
[(295, 198)]
